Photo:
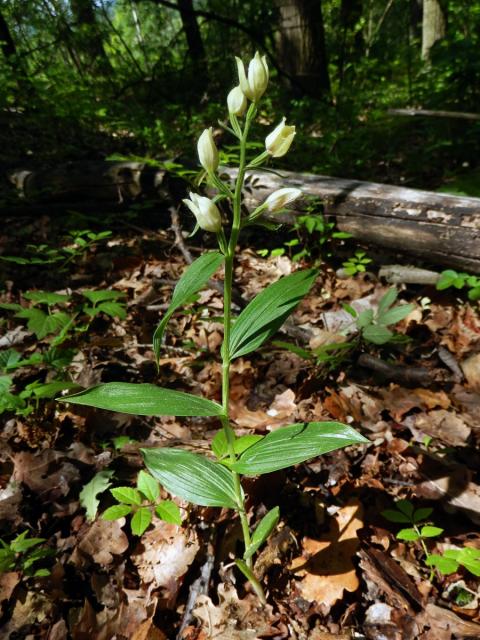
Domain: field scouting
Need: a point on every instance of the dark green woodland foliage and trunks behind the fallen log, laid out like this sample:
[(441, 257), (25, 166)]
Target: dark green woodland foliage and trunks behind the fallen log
[(88, 78)]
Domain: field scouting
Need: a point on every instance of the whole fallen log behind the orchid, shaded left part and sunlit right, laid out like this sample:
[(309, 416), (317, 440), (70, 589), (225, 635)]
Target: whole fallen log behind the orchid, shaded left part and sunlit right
[(438, 228)]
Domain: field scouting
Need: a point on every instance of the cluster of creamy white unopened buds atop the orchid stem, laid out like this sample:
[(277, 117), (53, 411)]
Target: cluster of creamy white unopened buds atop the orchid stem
[(252, 84)]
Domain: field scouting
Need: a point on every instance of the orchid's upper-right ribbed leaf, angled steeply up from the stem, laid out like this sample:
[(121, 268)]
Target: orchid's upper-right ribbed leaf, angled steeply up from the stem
[(266, 313)]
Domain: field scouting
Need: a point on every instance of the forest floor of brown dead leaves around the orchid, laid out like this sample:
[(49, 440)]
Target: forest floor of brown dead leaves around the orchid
[(335, 568)]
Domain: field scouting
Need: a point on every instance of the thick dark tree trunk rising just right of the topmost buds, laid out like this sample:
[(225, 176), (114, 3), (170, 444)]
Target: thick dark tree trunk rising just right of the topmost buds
[(301, 44)]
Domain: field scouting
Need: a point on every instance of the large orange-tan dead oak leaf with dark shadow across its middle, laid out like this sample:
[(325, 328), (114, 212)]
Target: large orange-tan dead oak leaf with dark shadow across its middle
[(325, 567)]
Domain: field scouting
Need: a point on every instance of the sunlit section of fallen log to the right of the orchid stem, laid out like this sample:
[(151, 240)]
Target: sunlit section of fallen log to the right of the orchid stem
[(438, 228)]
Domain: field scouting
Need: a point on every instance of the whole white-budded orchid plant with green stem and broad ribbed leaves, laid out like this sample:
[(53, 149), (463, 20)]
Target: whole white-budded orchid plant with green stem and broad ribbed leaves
[(216, 481)]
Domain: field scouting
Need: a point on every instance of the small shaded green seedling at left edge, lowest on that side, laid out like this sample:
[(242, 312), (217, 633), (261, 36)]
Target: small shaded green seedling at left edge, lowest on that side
[(23, 554)]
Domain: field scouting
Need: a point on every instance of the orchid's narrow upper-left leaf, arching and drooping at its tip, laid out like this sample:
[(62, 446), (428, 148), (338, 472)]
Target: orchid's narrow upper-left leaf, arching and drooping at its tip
[(192, 280)]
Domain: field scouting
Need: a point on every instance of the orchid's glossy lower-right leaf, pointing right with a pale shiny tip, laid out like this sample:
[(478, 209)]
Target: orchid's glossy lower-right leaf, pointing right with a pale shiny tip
[(294, 444)]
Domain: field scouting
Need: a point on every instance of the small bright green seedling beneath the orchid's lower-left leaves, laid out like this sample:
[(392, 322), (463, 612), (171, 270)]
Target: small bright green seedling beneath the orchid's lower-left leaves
[(140, 503)]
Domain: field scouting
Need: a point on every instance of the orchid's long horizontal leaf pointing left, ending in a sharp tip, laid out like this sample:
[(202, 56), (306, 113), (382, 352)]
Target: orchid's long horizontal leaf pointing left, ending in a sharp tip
[(144, 400)]
